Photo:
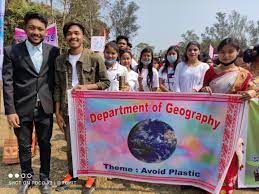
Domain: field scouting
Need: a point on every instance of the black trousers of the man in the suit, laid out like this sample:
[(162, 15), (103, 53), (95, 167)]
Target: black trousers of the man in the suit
[(43, 126)]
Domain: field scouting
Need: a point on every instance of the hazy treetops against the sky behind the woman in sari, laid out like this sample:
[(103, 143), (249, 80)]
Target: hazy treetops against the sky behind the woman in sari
[(227, 25)]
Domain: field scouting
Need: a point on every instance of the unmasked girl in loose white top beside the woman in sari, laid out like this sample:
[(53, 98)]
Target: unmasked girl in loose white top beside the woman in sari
[(189, 74)]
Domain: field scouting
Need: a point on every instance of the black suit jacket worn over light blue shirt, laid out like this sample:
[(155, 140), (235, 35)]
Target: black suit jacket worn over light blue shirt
[(21, 82)]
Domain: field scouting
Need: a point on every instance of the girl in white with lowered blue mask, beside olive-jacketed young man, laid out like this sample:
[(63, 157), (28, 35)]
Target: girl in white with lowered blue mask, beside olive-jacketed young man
[(114, 69)]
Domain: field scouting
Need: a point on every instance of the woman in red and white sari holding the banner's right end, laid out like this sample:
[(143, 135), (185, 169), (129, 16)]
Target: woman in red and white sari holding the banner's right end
[(227, 78)]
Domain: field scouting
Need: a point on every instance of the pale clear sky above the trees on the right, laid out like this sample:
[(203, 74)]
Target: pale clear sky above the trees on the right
[(163, 21)]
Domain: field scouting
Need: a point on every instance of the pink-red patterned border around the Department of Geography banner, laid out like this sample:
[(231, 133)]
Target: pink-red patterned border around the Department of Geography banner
[(234, 104)]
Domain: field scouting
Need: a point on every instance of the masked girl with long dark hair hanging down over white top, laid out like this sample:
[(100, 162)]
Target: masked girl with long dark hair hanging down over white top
[(148, 76)]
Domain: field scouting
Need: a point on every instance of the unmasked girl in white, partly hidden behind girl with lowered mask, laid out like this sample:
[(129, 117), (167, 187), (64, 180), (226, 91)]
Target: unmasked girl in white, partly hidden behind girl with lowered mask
[(126, 60)]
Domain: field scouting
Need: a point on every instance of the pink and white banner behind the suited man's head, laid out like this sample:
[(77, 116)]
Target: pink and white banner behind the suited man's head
[(51, 38)]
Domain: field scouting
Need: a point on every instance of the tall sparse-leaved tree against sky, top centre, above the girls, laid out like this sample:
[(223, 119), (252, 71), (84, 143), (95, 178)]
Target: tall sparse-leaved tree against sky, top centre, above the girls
[(123, 18)]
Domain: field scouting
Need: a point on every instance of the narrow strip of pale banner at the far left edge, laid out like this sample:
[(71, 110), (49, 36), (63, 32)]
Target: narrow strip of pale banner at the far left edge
[(2, 10)]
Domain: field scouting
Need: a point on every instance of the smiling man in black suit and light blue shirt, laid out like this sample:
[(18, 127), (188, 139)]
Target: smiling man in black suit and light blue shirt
[(28, 81)]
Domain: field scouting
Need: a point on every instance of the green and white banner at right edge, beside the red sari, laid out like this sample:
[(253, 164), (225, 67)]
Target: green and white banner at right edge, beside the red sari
[(249, 176)]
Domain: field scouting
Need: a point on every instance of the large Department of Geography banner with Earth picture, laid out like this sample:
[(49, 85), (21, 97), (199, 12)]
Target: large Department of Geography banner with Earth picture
[(183, 139)]
